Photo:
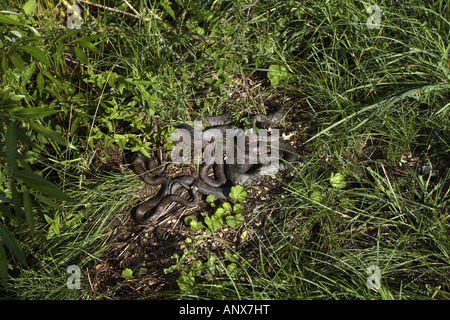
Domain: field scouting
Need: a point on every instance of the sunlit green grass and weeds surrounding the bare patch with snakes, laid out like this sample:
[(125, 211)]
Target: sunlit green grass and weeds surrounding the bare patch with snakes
[(373, 98)]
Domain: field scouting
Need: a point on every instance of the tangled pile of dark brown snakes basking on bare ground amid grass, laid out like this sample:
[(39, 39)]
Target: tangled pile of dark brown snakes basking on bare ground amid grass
[(227, 173)]
